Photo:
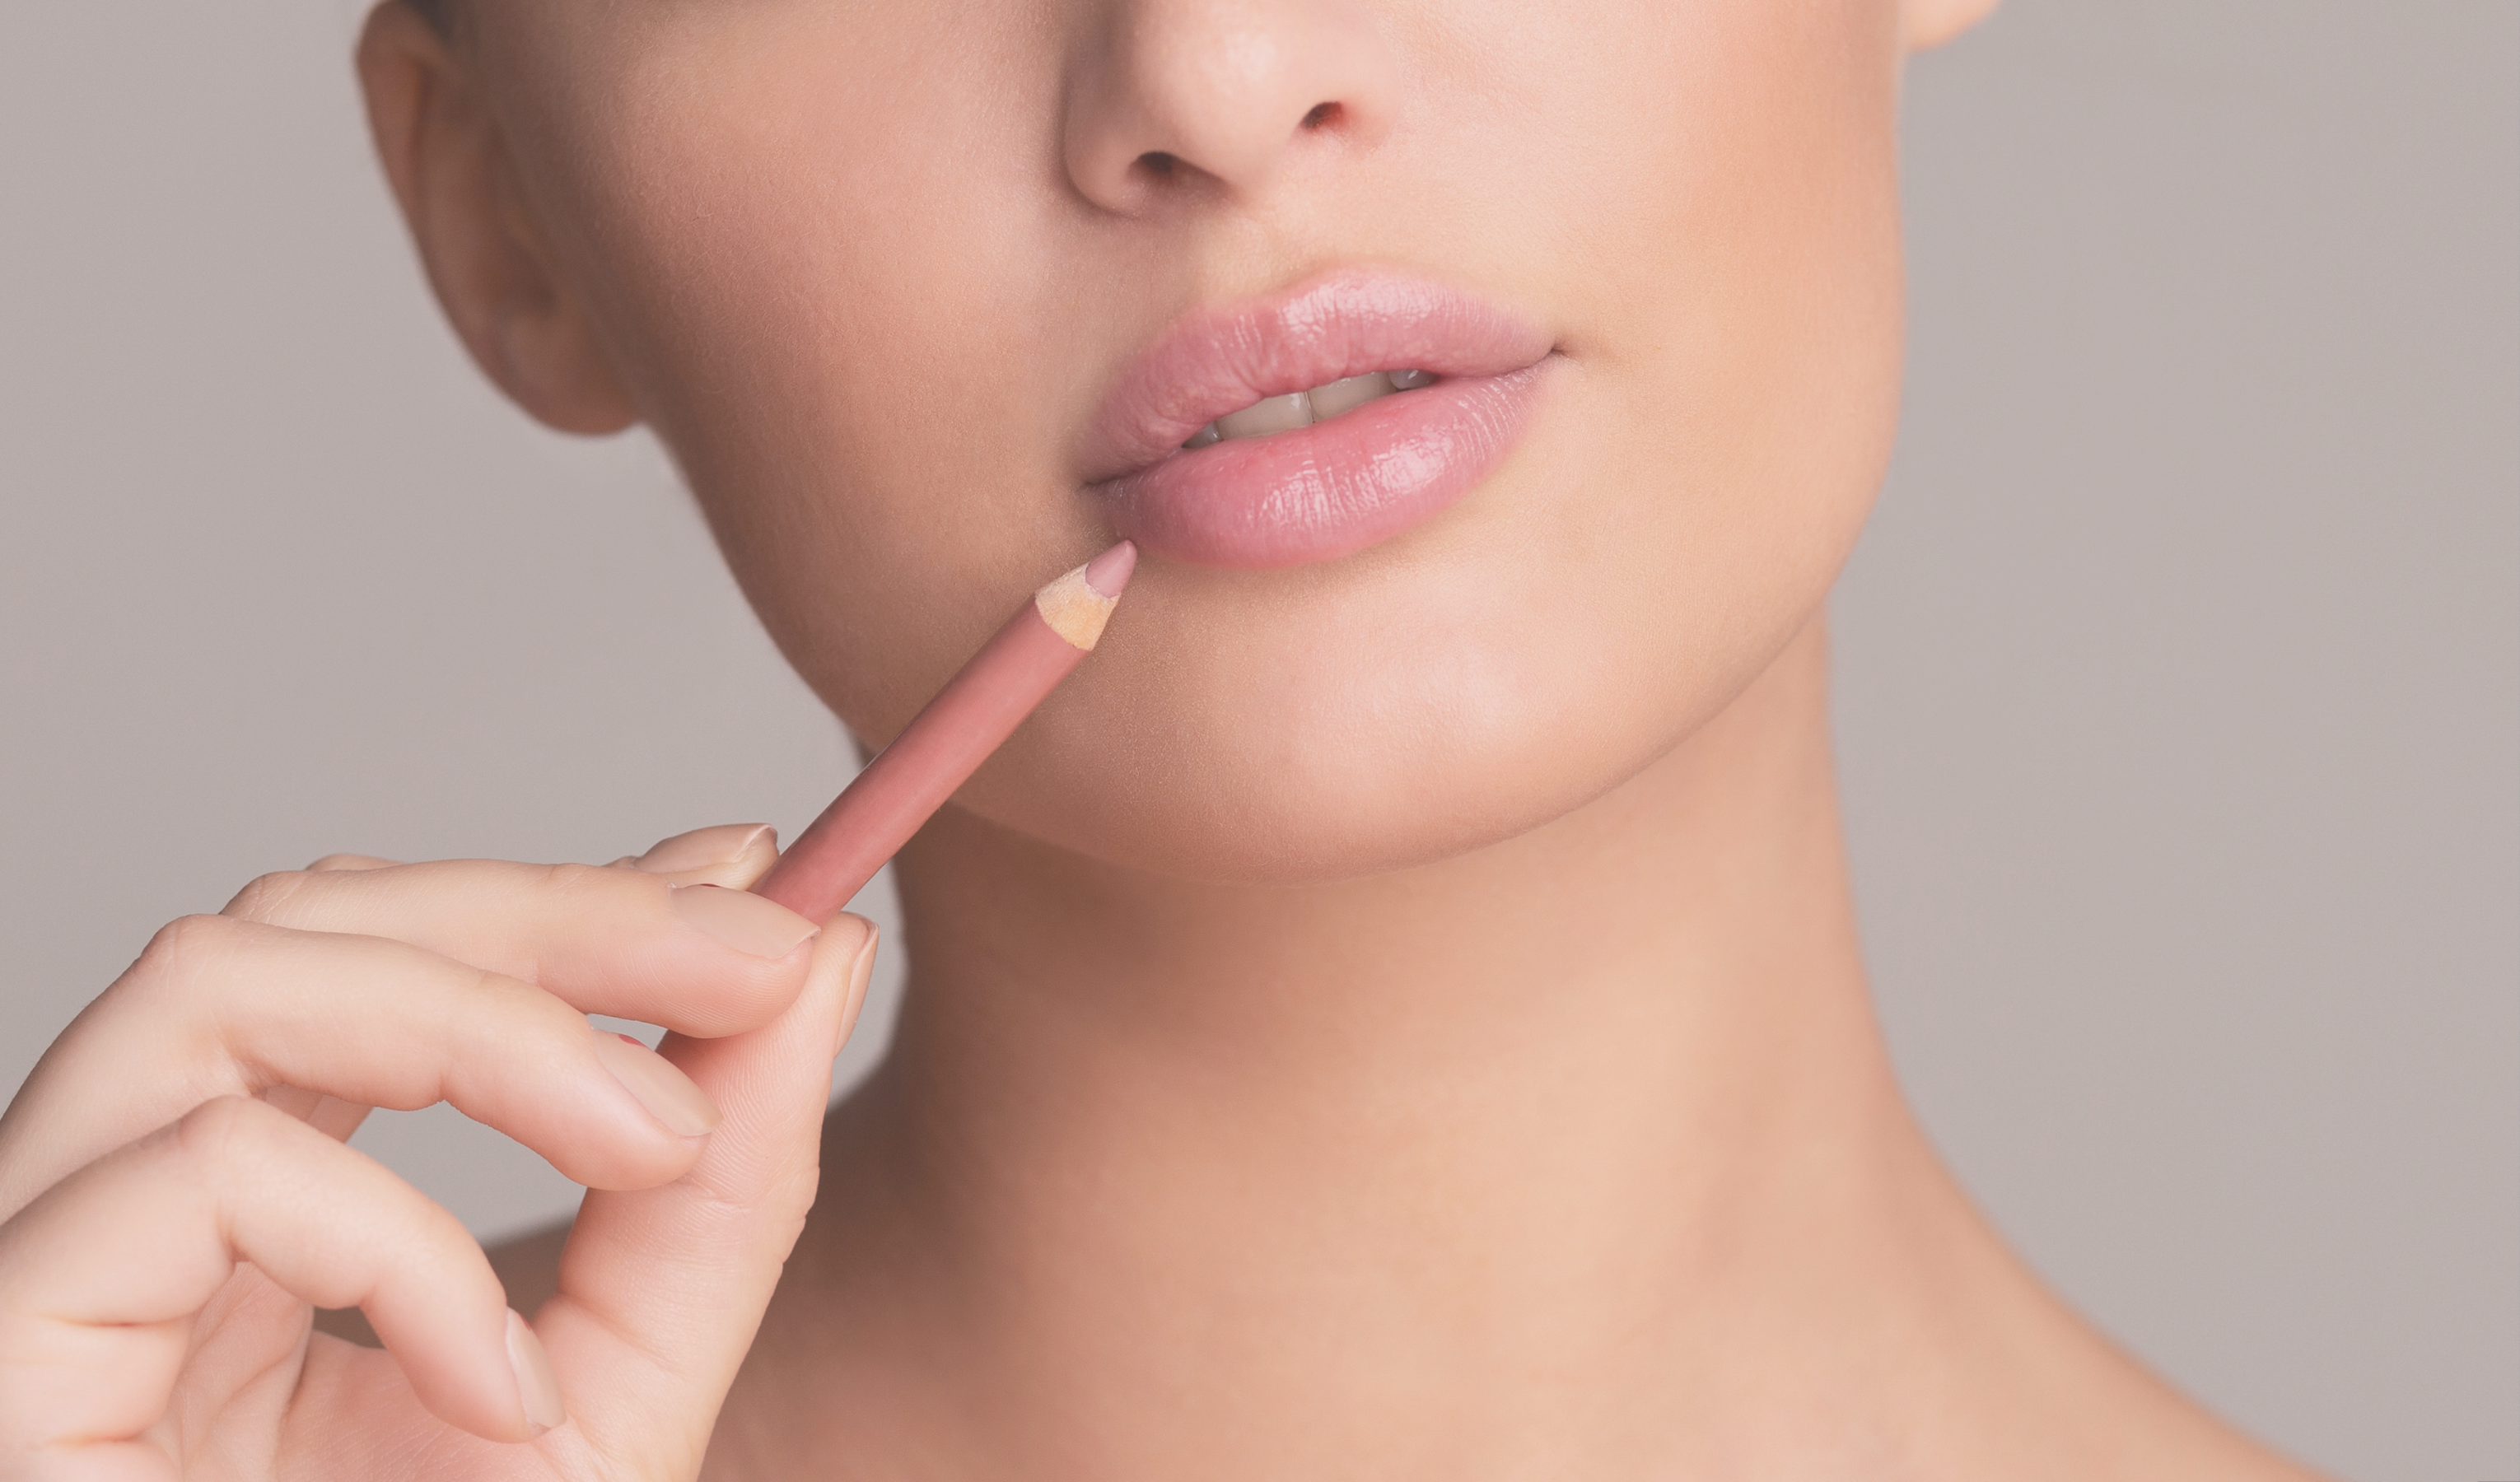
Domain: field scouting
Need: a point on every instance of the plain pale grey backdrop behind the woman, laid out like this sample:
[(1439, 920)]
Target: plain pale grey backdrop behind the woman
[(2179, 717)]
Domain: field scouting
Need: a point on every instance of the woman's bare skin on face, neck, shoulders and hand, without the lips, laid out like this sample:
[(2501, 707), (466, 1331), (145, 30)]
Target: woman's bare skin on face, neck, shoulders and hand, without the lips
[(1382, 1020)]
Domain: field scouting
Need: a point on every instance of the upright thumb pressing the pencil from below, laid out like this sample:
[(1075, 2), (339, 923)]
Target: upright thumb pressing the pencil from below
[(664, 1289)]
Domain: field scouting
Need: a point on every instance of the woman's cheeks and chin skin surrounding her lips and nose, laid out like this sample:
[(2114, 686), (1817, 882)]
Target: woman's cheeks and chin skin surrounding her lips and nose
[(873, 364)]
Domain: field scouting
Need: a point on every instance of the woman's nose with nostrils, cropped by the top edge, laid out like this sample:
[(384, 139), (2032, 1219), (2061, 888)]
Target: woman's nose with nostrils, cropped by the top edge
[(1178, 95)]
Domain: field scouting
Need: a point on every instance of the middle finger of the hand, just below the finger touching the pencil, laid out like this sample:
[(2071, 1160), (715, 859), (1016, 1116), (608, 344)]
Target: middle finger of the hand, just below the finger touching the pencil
[(326, 1027)]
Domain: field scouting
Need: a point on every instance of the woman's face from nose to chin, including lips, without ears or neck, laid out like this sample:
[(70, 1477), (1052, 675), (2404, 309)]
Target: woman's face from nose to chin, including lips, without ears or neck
[(876, 271)]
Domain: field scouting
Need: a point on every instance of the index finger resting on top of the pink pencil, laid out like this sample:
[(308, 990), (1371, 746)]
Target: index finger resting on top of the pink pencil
[(697, 959)]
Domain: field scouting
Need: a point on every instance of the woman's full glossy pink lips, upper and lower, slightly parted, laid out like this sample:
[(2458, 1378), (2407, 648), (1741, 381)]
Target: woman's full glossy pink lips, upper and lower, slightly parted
[(1339, 485)]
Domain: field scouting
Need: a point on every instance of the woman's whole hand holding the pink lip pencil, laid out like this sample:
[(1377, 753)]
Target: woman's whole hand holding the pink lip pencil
[(175, 1193)]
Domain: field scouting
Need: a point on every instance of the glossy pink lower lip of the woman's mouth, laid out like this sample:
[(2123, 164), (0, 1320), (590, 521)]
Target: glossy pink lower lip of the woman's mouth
[(1327, 490)]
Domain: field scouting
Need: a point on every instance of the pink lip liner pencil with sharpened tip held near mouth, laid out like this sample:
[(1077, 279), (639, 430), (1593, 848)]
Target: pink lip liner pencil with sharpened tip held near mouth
[(949, 740)]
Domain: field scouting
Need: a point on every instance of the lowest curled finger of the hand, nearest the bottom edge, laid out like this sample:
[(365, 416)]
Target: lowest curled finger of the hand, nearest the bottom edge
[(100, 1282)]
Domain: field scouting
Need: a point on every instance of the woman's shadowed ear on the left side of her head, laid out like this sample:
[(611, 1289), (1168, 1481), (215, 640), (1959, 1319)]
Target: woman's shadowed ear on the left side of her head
[(488, 258)]
